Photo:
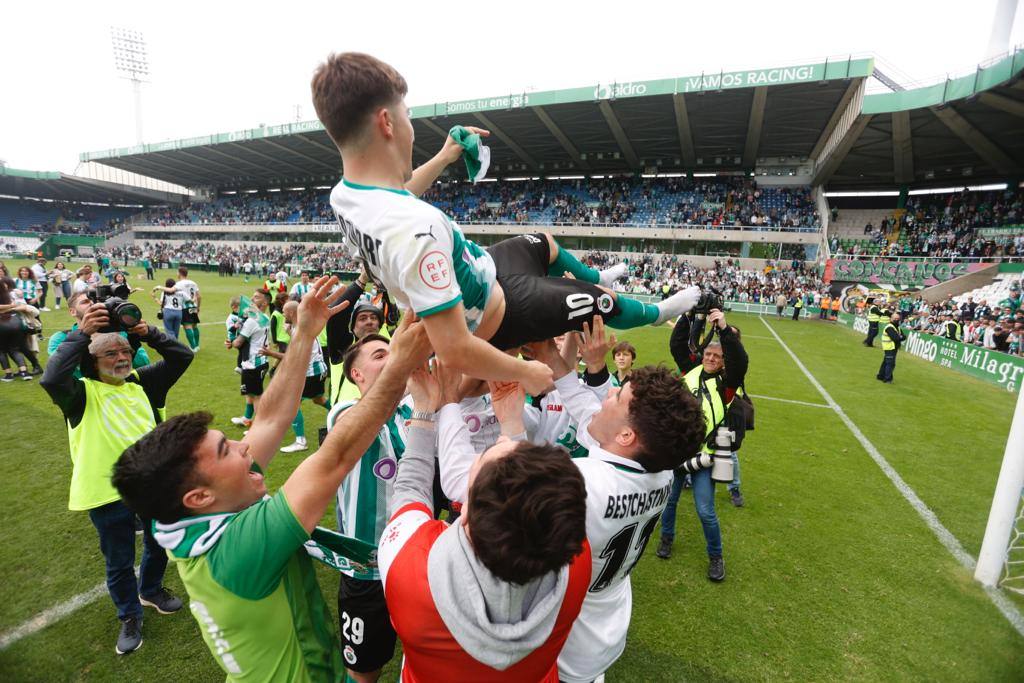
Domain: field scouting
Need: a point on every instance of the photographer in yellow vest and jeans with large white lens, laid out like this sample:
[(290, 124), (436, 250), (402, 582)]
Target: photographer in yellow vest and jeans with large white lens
[(714, 372)]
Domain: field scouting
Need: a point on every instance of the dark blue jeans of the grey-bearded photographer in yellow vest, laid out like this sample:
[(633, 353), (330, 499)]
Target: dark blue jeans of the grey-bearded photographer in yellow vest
[(116, 526)]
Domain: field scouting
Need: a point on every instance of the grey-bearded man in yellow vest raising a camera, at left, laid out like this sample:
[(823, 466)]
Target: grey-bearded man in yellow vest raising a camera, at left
[(107, 410)]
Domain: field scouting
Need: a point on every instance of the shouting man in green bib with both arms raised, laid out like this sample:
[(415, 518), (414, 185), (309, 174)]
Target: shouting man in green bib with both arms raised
[(244, 557)]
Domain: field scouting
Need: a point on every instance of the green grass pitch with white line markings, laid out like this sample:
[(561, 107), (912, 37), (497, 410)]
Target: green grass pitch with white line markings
[(832, 575)]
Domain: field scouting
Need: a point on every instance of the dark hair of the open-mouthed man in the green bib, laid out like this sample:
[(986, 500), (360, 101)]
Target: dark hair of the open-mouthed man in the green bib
[(155, 473)]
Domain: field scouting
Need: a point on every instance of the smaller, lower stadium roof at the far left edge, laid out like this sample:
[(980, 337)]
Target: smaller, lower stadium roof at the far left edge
[(55, 186)]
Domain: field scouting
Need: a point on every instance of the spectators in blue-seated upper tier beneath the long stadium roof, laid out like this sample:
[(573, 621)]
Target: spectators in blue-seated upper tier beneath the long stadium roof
[(622, 201)]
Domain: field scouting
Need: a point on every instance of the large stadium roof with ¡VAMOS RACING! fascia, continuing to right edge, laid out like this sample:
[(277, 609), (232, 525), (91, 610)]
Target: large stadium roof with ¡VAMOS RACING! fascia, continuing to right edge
[(814, 115)]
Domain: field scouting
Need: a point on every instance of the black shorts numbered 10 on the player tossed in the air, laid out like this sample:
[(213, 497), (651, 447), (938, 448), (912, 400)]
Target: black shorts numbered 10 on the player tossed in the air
[(538, 307)]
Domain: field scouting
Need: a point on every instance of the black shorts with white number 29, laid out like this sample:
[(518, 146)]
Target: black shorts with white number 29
[(368, 638)]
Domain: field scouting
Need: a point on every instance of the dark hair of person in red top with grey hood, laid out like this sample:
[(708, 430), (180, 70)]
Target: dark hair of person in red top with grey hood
[(528, 513)]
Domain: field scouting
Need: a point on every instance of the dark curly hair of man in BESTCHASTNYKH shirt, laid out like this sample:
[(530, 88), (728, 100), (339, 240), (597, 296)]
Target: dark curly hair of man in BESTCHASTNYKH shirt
[(666, 417)]
